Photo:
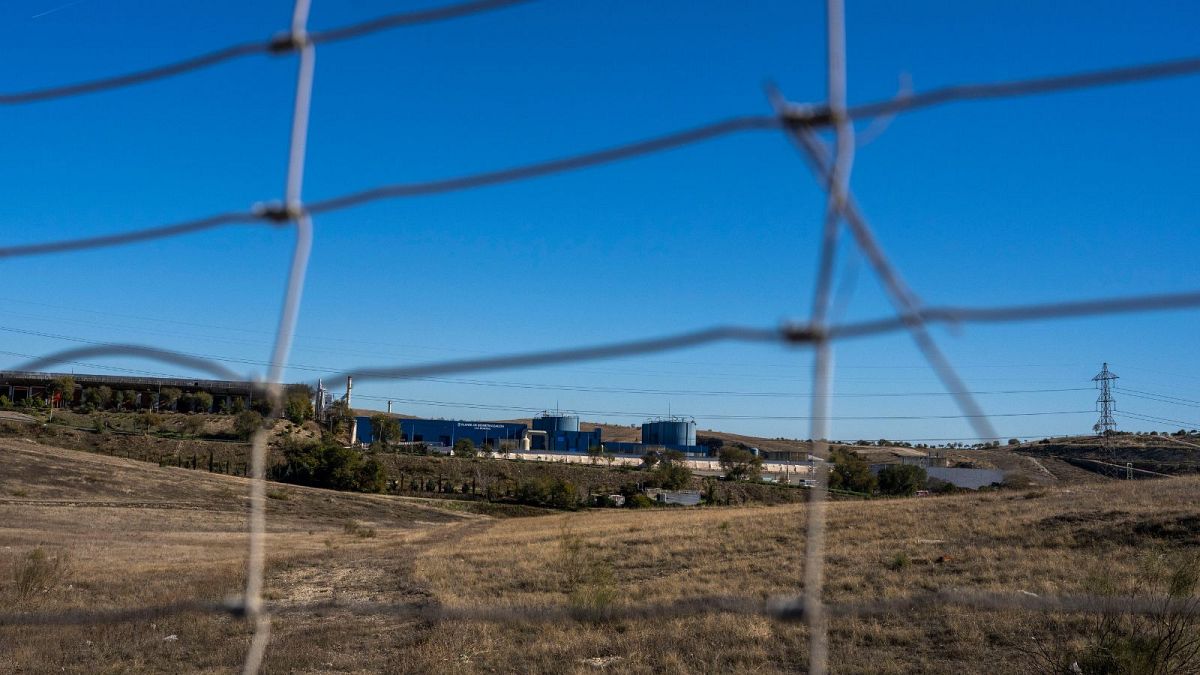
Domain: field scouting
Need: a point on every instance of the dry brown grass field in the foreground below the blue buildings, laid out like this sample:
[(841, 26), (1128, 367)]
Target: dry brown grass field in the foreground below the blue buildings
[(116, 534)]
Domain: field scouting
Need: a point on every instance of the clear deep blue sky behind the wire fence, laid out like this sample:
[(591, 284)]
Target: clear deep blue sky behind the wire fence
[(1036, 200)]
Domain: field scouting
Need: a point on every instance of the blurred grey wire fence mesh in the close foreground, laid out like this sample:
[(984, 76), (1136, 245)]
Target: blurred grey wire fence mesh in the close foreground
[(831, 164)]
